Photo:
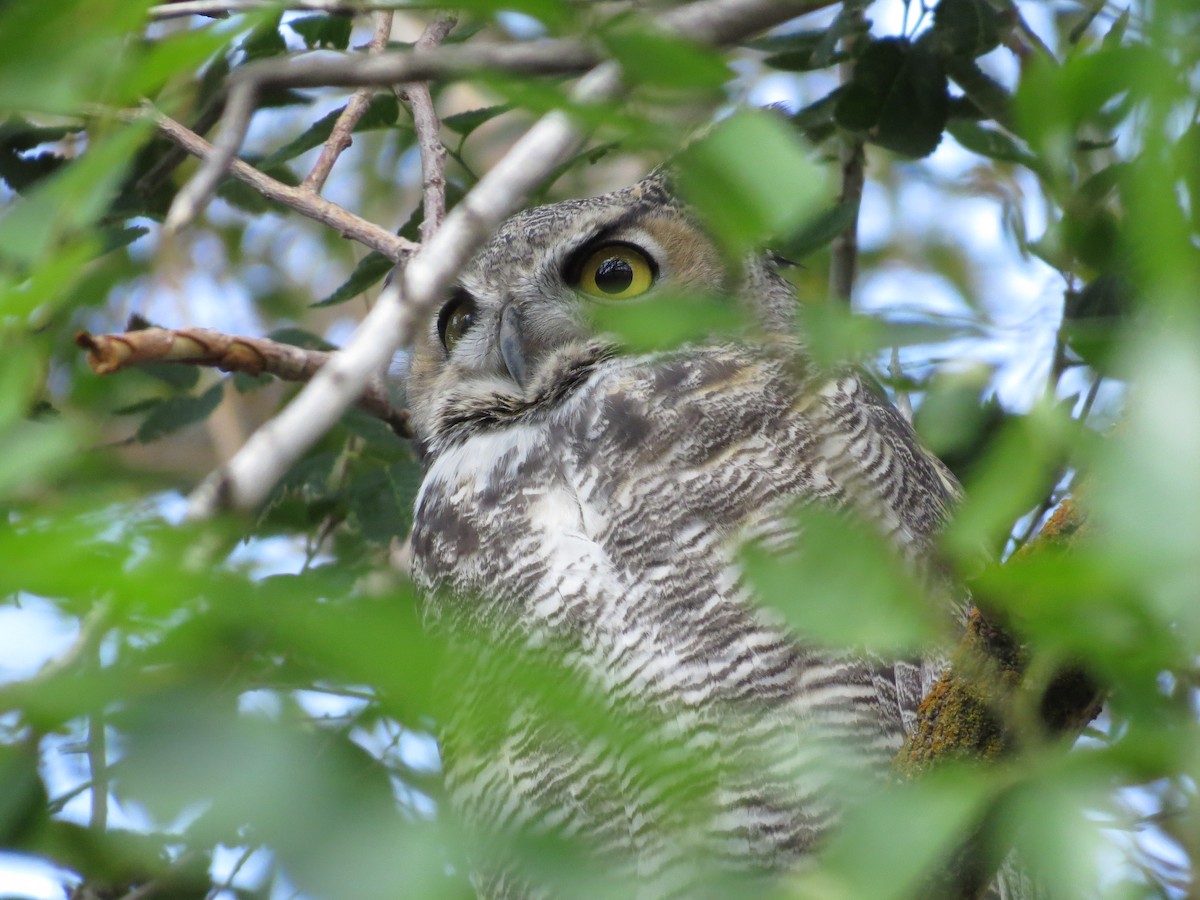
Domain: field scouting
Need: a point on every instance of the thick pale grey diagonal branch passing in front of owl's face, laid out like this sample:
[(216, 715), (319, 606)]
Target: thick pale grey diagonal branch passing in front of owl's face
[(247, 479)]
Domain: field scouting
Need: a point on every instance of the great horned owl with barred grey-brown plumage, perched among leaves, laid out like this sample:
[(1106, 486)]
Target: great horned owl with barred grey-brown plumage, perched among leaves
[(583, 511)]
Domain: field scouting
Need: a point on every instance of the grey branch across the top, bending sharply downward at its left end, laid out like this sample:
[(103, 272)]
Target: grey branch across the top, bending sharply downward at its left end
[(712, 22)]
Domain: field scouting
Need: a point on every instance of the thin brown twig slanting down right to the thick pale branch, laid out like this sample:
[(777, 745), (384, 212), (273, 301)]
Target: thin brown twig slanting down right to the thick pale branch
[(304, 202)]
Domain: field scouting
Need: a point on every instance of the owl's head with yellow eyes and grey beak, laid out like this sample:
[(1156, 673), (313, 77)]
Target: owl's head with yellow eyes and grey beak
[(518, 322)]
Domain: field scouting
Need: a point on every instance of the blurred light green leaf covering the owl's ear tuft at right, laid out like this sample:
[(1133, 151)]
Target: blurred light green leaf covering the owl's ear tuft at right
[(743, 205)]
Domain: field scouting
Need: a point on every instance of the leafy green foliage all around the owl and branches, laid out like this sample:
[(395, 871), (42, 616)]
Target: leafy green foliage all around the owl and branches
[(205, 673)]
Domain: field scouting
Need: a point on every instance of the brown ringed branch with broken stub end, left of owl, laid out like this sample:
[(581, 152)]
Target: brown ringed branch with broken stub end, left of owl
[(230, 353)]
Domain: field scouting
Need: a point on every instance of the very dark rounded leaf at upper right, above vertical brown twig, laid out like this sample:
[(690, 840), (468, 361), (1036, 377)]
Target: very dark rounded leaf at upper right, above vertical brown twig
[(898, 98)]
